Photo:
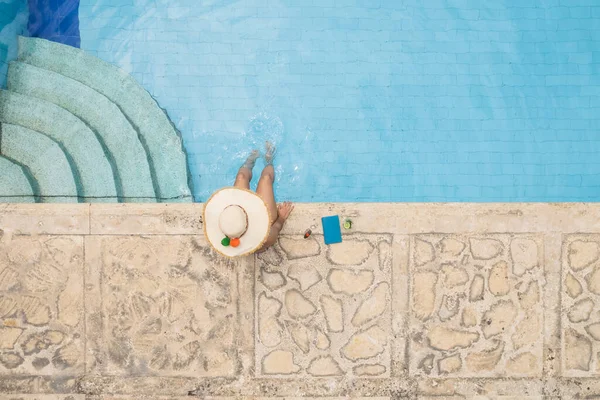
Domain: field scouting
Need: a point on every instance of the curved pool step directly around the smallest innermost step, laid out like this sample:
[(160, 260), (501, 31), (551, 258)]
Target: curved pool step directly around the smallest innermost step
[(44, 159)]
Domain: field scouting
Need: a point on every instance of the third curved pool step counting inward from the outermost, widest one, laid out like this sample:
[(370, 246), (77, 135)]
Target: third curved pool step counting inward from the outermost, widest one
[(92, 172)]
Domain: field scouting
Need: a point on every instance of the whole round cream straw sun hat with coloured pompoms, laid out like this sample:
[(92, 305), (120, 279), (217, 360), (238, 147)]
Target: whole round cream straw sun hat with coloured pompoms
[(236, 222)]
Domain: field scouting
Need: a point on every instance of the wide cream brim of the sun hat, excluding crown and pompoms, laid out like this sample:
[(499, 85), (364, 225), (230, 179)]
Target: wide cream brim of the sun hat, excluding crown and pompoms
[(259, 221)]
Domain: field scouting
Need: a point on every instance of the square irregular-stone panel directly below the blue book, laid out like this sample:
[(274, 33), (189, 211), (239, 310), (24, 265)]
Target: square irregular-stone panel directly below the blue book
[(336, 308)]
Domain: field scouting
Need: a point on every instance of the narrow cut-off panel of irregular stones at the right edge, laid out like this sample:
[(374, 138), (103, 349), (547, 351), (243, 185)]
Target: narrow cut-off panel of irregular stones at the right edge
[(580, 312)]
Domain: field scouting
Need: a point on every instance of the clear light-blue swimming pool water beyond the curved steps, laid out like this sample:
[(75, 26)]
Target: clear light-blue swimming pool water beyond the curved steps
[(441, 100)]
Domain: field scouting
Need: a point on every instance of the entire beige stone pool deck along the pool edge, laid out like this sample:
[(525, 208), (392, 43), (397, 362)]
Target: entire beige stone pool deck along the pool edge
[(420, 301)]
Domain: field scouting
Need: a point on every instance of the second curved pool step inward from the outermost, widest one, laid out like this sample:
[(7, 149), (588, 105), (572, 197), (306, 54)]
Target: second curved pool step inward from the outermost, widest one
[(120, 141)]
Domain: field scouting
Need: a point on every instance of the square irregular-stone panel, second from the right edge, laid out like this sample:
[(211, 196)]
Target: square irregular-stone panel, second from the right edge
[(476, 305)]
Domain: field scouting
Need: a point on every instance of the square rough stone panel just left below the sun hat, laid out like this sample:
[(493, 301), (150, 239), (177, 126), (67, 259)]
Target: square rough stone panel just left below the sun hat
[(169, 306)]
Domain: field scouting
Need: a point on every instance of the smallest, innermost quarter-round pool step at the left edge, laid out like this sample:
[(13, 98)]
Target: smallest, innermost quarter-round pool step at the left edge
[(15, 186)]
